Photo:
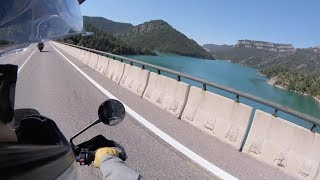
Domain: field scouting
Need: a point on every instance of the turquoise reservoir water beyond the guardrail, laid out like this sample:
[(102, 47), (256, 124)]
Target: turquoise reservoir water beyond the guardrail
[(238, 77)]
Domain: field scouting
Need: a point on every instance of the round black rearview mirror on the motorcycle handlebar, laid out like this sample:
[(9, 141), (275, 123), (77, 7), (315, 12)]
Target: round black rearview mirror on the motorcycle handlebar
[(111, 112)]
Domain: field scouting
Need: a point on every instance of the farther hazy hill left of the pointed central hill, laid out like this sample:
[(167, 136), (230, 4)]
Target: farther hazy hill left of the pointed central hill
[(107, 25)]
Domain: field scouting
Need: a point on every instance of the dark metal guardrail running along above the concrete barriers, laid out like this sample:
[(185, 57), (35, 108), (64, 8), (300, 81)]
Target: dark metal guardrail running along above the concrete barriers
[(277, 107)]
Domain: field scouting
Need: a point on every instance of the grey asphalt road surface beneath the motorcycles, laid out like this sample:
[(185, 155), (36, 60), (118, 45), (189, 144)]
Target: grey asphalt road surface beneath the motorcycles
[(50, 84)]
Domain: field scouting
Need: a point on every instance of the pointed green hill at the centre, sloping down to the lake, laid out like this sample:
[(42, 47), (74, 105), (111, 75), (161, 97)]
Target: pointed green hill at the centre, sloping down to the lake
[(158, 35)]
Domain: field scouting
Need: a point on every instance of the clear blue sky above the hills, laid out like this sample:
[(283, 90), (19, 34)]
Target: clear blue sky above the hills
[(222, 21)]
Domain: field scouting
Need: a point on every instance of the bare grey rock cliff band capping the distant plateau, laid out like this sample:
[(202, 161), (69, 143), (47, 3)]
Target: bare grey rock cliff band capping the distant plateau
[(274, 47)]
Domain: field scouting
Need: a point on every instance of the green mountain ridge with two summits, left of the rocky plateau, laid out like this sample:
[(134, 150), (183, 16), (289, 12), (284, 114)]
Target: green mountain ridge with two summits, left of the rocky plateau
[(154, 35)]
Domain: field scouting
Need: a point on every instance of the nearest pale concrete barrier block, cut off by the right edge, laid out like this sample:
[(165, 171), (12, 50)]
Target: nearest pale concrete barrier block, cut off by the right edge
[(284, 145)]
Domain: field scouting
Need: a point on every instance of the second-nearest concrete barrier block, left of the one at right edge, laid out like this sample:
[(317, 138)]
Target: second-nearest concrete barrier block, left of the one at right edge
[(218, 116)]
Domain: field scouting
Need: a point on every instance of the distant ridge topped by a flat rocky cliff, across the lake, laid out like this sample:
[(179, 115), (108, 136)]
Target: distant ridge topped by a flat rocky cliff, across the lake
[(262, 54)]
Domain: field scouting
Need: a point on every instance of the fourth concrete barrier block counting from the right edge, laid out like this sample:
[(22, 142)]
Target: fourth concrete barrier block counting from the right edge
[(135, 79)]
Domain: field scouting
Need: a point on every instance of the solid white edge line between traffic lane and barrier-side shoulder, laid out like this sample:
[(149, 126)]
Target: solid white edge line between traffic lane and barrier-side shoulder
[(184, 150)]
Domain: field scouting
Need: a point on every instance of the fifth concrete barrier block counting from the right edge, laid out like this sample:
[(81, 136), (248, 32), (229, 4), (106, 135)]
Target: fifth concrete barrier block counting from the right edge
[(115, 70)]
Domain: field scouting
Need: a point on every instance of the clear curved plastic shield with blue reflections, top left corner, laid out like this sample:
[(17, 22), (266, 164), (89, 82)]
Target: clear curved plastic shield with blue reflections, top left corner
[(26, 21)]
